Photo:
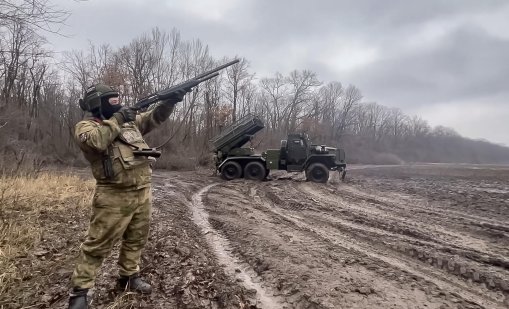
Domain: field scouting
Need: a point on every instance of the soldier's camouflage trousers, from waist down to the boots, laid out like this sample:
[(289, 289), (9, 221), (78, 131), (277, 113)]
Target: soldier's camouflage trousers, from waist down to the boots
[(116, 214)]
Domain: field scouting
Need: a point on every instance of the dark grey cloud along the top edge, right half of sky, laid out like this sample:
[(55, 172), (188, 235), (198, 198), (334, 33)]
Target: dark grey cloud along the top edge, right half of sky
[(365, 18)]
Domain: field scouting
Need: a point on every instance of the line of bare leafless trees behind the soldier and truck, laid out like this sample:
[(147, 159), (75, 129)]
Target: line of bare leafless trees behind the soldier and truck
[(39, 91)]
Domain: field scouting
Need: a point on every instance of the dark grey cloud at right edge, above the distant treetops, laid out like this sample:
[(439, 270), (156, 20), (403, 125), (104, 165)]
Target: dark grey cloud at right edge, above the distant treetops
[(465, 64)]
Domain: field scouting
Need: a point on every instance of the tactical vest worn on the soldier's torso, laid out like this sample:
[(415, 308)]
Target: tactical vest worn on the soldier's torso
[(127, 170)]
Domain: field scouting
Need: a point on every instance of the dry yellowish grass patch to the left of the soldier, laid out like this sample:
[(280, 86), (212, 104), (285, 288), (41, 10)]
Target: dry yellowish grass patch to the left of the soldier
[(42, 218)]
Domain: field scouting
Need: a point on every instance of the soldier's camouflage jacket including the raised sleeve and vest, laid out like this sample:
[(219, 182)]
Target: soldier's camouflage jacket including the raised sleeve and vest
[(102, 140)]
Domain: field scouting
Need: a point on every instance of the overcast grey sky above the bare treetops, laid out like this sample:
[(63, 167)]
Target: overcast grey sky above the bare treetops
[(444, 60)]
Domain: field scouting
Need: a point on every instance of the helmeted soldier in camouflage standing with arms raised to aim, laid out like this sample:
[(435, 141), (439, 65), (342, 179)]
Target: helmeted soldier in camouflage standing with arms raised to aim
[(121, 205)]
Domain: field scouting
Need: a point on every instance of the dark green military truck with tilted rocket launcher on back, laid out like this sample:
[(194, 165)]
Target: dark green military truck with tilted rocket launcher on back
[(296, 154)]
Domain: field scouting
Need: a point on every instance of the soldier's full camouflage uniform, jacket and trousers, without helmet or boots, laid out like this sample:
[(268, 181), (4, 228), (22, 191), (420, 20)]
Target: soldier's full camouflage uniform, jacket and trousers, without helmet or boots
[(121, 206)]
